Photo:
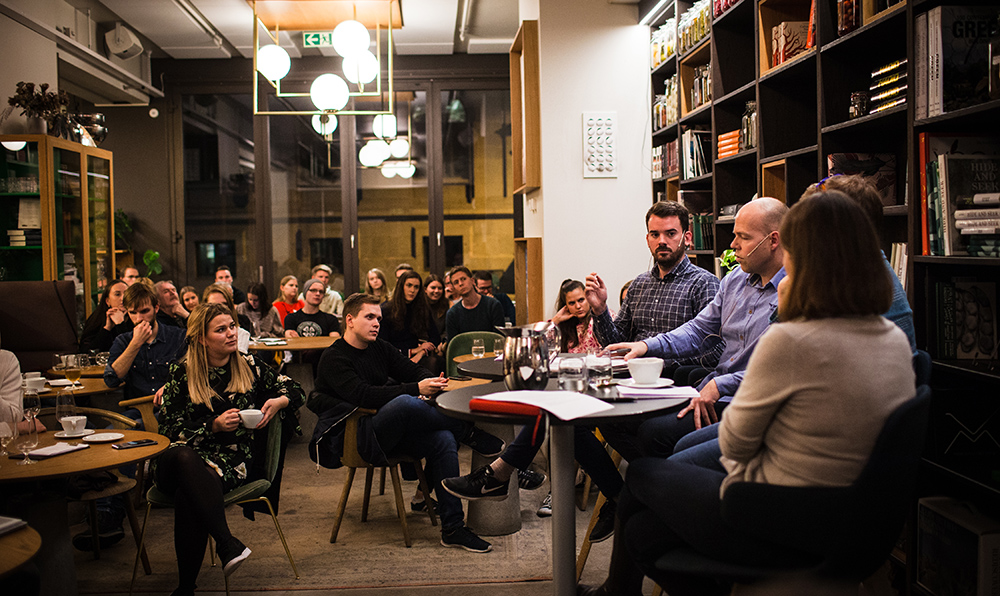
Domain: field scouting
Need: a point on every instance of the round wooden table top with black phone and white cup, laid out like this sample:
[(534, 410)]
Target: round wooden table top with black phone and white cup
[(99, 456)]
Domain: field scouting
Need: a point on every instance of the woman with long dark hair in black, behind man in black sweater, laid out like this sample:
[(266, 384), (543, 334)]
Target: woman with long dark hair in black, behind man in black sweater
[(408, 325)]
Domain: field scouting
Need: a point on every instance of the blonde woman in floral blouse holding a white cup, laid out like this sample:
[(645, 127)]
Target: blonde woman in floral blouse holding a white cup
[(212, 453)]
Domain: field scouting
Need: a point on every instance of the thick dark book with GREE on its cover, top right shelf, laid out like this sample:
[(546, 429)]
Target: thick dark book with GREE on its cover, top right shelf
[(958, 56)]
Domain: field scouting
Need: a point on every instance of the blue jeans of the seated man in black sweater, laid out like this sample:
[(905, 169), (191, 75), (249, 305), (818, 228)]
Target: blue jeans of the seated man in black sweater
[(410, 426)]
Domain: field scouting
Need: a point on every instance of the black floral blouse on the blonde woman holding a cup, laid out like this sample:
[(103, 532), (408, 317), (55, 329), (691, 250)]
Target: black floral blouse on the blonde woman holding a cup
[(230, 454)]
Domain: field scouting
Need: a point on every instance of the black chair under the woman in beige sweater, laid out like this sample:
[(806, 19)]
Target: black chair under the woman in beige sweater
[(843, 534)]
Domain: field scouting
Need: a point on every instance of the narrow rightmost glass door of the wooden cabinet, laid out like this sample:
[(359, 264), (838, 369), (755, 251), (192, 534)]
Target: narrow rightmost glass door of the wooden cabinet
[(101, 243)]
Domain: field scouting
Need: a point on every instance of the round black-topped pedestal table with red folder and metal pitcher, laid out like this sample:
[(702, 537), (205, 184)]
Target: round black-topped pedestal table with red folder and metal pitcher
[(561, 469)]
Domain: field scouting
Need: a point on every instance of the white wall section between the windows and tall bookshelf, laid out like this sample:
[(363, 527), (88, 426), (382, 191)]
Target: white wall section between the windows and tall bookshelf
[(594, 57)]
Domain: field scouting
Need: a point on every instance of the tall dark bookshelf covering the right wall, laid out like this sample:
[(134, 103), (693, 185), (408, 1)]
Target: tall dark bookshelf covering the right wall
[(803, 108)]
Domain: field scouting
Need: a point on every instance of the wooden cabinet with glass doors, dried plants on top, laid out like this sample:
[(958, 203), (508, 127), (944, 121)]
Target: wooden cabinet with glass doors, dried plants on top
[(57, 213)]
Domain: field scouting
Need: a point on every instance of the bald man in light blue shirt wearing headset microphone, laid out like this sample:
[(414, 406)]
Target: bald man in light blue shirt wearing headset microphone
[(739, 314)]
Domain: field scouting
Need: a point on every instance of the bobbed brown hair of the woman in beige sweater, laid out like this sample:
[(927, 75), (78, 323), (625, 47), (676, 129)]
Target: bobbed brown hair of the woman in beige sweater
[(837, 267)]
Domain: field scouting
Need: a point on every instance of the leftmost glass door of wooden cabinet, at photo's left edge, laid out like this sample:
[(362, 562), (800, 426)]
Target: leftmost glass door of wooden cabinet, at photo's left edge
[(20, 213)]
